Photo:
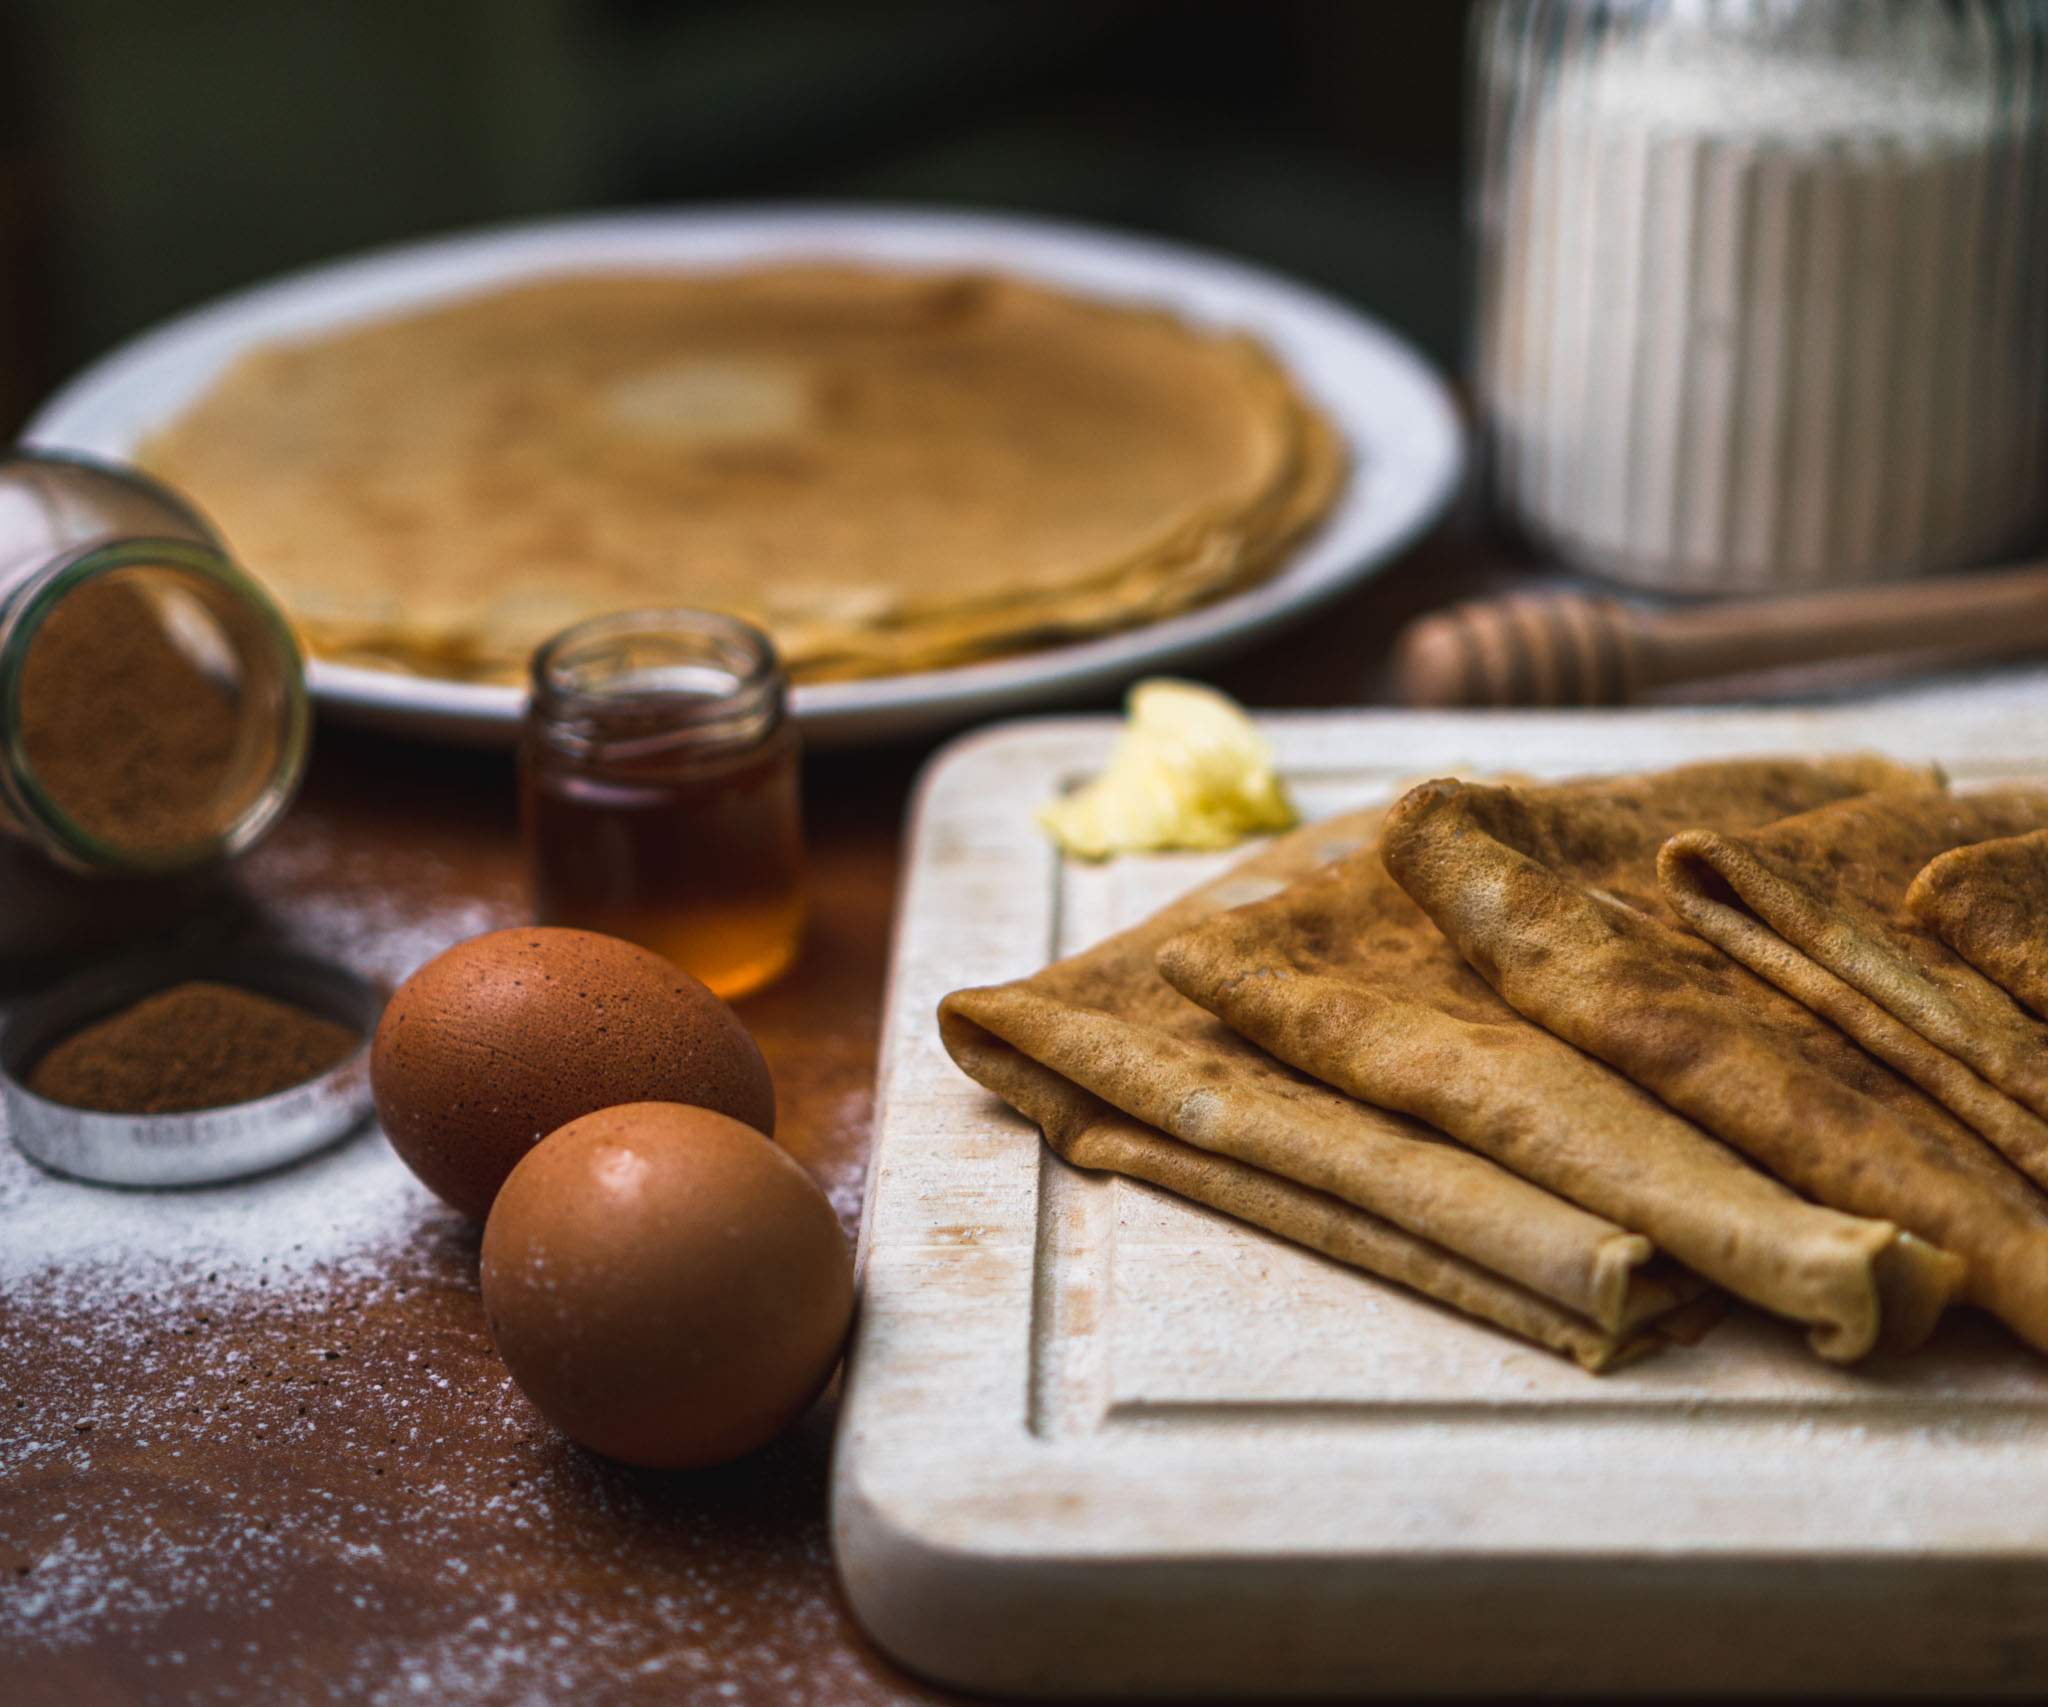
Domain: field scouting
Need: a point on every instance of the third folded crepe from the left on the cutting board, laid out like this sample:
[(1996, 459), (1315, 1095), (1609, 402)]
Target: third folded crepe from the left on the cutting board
[(1555, 903)]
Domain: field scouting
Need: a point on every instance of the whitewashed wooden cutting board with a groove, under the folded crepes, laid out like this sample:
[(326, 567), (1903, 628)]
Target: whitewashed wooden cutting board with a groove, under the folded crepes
[(1099, 1442)]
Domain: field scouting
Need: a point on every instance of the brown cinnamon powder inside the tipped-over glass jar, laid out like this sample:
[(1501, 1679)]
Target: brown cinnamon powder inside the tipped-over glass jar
[(128, 735)]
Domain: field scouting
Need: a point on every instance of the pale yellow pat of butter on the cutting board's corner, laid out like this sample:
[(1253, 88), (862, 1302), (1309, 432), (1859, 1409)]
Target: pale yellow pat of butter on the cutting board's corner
[(1189, 772)]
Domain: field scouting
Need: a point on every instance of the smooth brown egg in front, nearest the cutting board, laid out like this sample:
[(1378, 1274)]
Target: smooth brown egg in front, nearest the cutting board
[(667, 1286)]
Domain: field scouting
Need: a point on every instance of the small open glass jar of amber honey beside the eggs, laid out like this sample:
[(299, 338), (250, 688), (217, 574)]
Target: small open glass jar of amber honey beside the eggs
[(660, 792)]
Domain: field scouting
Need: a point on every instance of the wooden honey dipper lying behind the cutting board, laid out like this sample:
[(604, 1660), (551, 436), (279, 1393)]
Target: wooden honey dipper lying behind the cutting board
[(1574, 649)]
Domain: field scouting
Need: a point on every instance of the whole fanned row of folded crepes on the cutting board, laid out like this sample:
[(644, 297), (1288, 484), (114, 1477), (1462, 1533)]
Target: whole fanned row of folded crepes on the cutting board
[(1586, 1058)]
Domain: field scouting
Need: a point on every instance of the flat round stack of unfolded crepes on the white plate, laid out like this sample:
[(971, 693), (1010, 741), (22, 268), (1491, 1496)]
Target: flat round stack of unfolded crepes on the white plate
[(886, 470)]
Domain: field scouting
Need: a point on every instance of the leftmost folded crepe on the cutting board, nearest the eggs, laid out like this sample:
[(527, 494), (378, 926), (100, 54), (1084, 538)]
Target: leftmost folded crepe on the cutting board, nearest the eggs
[(1121, 1073)]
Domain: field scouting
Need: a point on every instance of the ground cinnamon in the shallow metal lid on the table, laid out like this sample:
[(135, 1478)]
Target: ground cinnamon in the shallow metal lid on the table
[(196, 1046)]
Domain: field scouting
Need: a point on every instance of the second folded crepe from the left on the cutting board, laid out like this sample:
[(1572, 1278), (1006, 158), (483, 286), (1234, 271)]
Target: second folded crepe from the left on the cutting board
[(1342, 976)]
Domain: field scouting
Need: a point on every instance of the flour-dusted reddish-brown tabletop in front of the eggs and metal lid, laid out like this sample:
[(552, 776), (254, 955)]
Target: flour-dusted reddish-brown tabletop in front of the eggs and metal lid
[(302, 1341)]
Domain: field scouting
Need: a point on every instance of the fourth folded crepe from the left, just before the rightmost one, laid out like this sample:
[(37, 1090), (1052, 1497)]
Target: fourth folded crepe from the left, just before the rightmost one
[(1818, 905)]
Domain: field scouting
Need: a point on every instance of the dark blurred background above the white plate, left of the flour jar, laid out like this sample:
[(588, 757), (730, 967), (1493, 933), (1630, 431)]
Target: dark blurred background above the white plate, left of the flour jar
[(155, 157)]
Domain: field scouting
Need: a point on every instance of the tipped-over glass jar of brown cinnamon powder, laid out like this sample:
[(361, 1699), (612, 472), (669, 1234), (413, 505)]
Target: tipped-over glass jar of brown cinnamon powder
[(153, 698)]
